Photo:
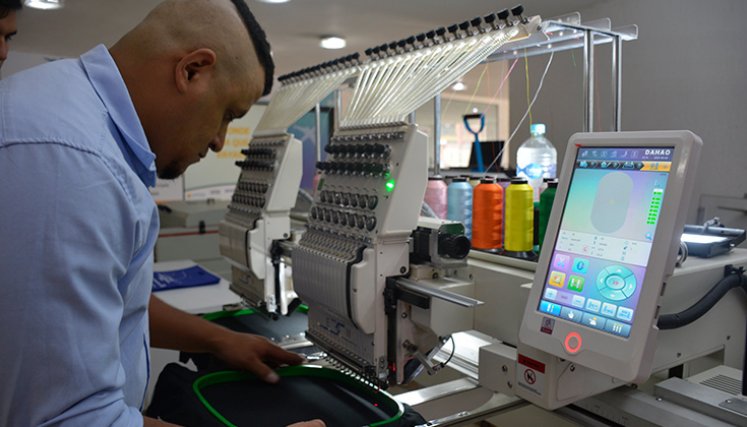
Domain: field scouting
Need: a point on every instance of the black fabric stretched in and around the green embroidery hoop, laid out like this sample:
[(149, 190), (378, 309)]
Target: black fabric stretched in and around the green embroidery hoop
[(254, 403)]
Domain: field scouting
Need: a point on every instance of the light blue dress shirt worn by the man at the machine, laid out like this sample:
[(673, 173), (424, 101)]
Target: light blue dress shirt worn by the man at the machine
[(77, 230)]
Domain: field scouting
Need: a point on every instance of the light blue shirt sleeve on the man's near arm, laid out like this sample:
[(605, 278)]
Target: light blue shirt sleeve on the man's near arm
[(66, 237)]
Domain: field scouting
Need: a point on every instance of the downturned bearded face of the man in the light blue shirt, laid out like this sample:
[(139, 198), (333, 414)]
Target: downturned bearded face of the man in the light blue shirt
[(206, 122)]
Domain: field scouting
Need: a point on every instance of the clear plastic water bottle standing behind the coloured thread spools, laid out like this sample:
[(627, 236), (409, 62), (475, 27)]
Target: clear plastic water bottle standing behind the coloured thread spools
[(536, 159)]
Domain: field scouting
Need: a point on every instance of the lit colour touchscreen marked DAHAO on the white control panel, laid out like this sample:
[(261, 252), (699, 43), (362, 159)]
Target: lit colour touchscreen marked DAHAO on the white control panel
[(605, 237)]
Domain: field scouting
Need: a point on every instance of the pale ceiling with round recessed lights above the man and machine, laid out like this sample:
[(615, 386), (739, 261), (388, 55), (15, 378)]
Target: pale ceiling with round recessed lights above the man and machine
[(293, 28)]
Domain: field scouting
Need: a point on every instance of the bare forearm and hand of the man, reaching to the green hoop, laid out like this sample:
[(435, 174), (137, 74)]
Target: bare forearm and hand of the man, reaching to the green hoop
[(174, 329)]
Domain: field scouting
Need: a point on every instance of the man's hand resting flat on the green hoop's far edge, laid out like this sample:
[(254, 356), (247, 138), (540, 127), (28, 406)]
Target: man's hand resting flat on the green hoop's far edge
[(255, 354)]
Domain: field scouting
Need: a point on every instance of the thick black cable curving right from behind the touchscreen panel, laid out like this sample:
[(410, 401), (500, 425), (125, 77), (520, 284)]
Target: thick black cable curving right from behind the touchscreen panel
[(734, 277)]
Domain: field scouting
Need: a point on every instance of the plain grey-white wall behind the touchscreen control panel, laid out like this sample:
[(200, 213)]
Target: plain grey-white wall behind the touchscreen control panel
[(687, 70)]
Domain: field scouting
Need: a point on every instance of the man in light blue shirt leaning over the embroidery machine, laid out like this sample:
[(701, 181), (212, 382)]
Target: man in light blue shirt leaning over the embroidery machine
[(80, 142)]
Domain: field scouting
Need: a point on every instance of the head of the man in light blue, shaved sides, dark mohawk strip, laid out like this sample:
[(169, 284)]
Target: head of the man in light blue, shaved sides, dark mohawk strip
[(191, 67)]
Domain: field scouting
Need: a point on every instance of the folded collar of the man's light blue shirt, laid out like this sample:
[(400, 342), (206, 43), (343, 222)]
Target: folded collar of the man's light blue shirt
[(107, 81)]
